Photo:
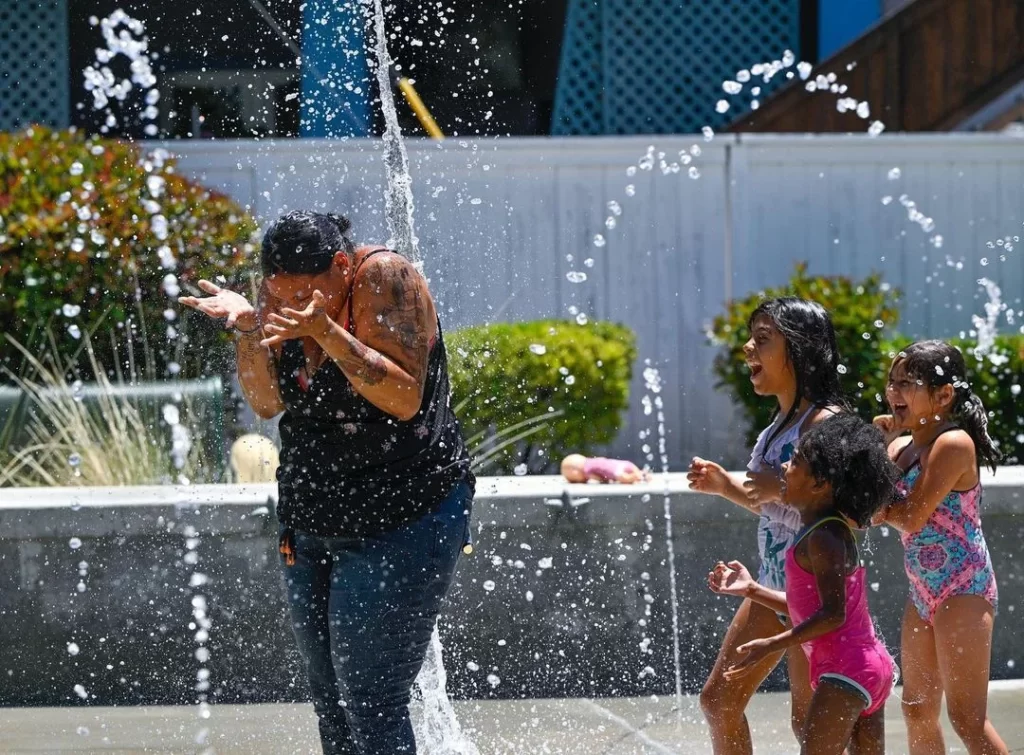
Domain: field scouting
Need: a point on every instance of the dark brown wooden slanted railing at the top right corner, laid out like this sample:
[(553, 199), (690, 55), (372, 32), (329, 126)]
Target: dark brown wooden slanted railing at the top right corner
[(926, 68)]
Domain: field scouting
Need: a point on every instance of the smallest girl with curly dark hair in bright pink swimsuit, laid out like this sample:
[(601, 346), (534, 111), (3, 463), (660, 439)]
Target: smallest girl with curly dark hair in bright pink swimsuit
[(840, 473)]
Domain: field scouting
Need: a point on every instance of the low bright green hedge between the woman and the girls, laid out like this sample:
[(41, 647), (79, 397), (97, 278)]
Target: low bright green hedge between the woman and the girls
[(579, 382)]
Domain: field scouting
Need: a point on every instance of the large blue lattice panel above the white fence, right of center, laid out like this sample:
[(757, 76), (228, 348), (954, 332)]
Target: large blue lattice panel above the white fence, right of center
[(658, 66)]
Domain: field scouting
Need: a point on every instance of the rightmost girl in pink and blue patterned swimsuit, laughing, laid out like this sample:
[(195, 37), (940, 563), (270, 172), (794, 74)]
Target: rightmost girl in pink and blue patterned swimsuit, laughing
[(948, 624)]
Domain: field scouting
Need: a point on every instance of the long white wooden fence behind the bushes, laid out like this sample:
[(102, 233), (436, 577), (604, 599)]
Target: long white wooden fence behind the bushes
[(501, 224)]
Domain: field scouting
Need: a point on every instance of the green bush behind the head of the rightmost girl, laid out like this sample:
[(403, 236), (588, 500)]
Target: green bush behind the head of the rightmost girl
[(997, 379)]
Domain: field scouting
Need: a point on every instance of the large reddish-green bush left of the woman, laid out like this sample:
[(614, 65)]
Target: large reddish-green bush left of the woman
[(97, 225)]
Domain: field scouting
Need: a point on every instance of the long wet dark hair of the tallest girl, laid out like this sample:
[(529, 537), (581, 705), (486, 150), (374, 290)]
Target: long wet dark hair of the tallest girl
[(810, 344)]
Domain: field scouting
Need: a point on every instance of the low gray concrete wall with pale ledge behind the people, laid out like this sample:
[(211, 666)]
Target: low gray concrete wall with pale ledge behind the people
[(580, 604)]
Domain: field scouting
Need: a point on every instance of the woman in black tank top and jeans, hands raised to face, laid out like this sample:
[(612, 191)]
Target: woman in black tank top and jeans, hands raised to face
[(375, 485)]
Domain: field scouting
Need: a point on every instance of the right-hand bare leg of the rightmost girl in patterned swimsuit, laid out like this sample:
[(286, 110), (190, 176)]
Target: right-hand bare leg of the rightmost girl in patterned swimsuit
[(964, 645)]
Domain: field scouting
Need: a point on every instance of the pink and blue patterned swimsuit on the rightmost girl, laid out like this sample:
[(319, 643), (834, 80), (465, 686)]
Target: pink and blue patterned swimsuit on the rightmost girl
[(949, 556)]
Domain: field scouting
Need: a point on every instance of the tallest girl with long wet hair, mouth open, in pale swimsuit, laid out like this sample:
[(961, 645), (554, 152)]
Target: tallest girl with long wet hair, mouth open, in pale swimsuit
[(793, 358)]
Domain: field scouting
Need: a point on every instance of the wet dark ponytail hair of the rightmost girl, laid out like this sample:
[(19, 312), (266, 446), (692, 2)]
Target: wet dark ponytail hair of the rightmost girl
[(937, 364)]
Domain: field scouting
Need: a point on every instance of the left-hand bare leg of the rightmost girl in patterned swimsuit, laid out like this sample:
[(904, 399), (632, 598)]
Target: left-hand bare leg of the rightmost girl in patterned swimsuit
[(922, 686)]
